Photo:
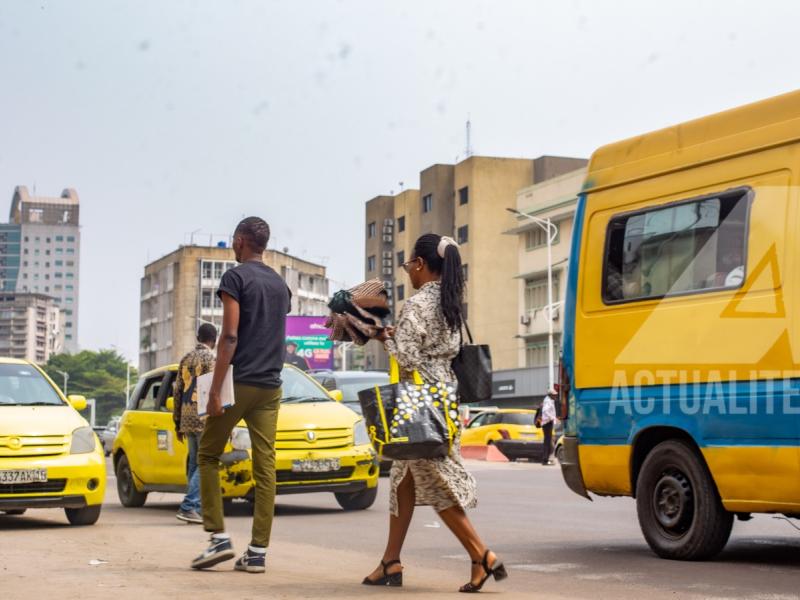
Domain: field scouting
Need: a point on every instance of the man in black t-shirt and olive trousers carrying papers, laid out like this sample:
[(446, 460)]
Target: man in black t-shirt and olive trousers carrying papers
[(255, 301)]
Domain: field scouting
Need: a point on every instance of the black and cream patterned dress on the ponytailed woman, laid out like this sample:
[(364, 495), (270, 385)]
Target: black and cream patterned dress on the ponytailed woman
[(423, 342)]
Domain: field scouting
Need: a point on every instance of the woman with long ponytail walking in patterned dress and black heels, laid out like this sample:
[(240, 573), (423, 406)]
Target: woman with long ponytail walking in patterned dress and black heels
[(427, 339)]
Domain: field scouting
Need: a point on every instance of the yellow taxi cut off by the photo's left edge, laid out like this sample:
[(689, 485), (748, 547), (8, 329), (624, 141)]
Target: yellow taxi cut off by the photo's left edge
[(49, 455)]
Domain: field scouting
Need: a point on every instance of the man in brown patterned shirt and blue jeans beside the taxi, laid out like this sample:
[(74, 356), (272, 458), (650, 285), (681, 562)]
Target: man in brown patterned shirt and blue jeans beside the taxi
[(188, 425)]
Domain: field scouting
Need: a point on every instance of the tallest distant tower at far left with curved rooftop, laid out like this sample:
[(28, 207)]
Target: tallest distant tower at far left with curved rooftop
[(40, 253)]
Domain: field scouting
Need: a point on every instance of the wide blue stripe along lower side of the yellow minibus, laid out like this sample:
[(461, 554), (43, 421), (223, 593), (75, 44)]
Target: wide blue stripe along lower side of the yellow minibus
[(758, 413)]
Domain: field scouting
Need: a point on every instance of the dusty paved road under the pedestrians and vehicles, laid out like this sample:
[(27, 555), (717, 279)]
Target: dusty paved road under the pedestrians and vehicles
[(555, 544)]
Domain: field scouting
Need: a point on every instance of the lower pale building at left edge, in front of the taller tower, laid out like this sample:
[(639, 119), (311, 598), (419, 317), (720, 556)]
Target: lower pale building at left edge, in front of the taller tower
[(31, 326)]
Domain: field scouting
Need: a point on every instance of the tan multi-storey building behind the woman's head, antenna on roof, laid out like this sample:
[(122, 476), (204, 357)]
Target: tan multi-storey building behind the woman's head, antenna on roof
[(466, 201)]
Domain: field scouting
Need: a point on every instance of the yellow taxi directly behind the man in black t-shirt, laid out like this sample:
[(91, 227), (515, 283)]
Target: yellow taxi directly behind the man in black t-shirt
[(321, 446)]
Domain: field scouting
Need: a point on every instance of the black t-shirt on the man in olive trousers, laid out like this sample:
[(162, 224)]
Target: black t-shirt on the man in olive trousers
[(264, 300)]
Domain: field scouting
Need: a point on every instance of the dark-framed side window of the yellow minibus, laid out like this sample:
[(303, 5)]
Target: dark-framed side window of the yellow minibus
[(683, 247)]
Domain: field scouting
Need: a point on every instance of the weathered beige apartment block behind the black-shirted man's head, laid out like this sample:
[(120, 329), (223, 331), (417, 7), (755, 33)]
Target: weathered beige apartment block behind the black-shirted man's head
[(178, 292)]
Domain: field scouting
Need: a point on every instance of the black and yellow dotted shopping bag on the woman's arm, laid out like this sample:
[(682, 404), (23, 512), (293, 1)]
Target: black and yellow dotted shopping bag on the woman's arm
[(409, 420)]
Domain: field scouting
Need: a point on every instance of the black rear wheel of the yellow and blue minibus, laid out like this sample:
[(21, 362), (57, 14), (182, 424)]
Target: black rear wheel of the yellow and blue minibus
[(679, 509)]
